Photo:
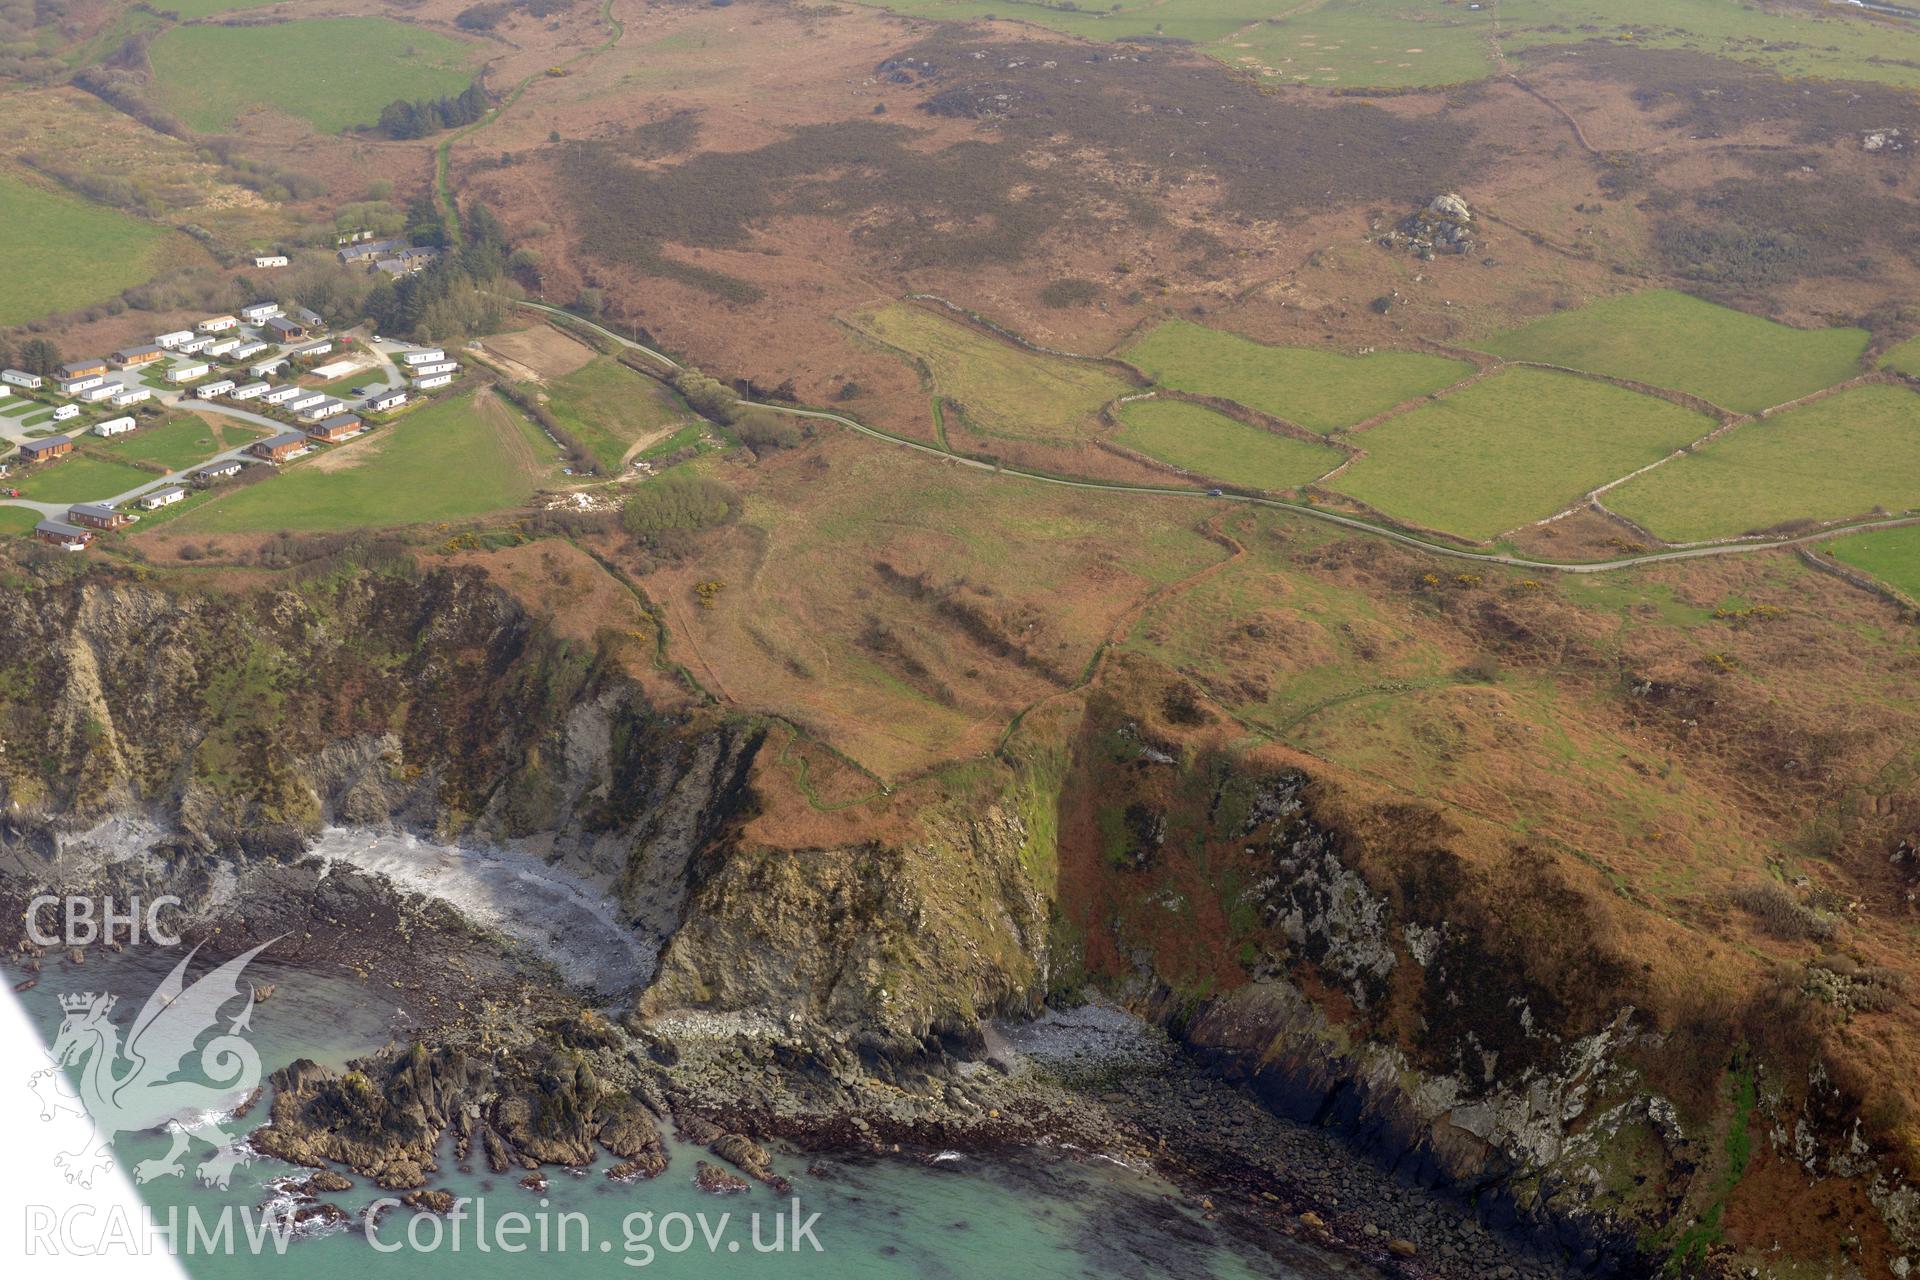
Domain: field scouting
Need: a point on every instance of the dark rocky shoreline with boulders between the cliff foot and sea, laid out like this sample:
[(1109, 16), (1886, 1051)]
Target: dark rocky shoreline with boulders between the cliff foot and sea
[(496, 1030)]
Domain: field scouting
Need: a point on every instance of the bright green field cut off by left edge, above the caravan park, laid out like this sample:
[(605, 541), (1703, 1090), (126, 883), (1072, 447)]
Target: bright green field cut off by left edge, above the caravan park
[(80, 252)]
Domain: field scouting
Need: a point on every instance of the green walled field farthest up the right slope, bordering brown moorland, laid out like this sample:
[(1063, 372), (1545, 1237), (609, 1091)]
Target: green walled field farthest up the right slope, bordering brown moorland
[(1685, 344)]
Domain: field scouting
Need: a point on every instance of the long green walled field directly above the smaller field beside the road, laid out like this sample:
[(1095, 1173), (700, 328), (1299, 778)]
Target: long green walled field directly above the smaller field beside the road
[(1320, 391)]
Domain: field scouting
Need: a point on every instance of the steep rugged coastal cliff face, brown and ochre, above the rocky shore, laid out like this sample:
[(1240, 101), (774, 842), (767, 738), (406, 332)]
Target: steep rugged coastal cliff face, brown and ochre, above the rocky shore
[(1468, 1010)]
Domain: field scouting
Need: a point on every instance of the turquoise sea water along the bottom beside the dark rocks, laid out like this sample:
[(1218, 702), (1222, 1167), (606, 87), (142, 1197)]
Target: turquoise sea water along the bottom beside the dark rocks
[(1040, 1214)]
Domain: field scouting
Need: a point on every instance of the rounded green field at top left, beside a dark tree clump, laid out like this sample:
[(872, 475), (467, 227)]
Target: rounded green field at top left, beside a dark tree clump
[(329, 72)]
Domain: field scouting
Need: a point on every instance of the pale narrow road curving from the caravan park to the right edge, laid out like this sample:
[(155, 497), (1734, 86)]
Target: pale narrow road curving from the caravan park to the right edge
[(1301, 510)]
